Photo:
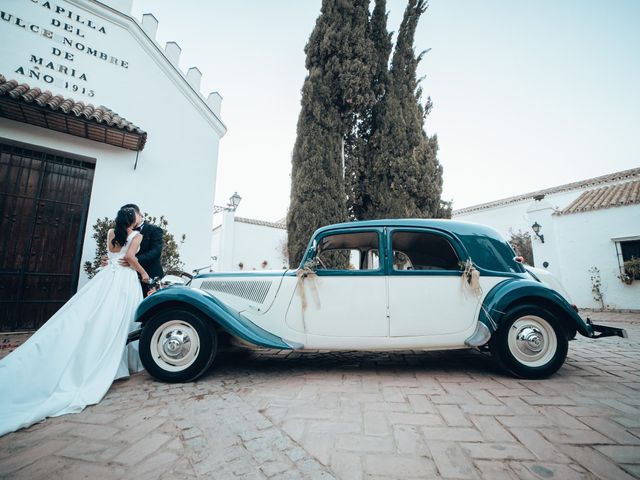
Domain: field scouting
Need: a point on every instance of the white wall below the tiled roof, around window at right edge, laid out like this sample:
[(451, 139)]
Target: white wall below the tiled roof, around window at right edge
[(584, 240)]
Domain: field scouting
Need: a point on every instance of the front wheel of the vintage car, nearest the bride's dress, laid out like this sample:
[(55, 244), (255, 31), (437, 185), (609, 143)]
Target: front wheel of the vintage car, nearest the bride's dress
[(177, 345)]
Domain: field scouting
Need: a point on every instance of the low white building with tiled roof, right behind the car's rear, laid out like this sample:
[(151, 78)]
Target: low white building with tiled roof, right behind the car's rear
[(587, 230)]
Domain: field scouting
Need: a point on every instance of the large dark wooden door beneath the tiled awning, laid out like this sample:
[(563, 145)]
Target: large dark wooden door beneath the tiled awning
[(43, 211)]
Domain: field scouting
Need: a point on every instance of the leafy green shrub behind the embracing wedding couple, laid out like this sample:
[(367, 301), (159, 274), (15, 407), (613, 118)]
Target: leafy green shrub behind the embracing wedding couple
[(170, 258)]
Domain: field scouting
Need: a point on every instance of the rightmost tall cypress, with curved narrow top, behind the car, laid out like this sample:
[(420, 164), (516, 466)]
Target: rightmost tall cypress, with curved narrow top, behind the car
[(405, 177)]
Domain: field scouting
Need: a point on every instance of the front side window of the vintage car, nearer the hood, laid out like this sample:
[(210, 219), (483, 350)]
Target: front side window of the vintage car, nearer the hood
[(348, 251)]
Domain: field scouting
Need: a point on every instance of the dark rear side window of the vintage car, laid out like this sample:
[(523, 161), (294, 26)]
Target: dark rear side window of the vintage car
[(422, 251)]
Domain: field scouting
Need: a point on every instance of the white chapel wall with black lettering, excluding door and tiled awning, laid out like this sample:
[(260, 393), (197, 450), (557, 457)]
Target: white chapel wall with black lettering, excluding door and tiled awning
[(176, 171)]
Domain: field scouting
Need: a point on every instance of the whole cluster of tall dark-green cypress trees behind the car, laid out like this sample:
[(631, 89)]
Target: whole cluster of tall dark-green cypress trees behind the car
[(361, 150)]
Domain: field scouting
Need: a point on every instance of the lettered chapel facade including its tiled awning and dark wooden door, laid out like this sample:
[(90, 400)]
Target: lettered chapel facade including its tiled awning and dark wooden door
[(68, 159)]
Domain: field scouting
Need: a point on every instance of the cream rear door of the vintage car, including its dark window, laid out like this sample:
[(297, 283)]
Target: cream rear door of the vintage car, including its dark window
[(426, 294)]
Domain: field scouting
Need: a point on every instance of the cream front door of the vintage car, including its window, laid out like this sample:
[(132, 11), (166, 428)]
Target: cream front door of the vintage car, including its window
[(347, 295)]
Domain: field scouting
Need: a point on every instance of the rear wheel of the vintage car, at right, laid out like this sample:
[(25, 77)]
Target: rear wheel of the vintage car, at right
[(531, 343)]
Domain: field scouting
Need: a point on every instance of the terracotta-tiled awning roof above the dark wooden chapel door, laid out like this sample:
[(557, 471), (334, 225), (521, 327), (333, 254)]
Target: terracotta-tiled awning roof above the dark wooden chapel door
[(22, 103)]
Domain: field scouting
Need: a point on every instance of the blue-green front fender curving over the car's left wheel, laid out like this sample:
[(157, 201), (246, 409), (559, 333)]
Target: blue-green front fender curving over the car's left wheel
[(227, 318)]
